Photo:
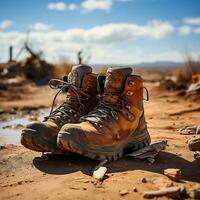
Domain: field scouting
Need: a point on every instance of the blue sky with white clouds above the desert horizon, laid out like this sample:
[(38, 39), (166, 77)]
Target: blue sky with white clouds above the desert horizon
[(109, 31)]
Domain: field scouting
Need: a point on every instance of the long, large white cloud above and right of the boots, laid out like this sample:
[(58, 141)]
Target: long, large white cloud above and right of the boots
[(123, 32)]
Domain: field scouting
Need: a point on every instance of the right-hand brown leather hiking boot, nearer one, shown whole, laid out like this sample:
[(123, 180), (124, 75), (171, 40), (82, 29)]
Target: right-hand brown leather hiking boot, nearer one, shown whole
[(117, 125)]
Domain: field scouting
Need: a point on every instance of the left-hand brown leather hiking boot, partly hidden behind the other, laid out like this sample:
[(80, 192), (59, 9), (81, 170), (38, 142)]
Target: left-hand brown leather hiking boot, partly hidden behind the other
[(81, 91)]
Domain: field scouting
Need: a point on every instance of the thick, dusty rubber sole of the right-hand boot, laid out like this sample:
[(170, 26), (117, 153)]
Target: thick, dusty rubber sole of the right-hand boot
[(66, 141)]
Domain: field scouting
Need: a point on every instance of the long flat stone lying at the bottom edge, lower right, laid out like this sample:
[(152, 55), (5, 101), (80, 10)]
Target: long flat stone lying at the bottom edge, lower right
[(172, 192)]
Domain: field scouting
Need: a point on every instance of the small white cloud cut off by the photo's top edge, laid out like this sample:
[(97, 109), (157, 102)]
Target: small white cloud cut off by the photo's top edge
[(90, 5)]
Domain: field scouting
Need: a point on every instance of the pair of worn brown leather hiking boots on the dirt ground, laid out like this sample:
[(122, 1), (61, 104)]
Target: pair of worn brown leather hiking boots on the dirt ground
[(102, 117)]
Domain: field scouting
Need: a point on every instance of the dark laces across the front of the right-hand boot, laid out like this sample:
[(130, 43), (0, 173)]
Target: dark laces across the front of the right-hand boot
[(106, 111)]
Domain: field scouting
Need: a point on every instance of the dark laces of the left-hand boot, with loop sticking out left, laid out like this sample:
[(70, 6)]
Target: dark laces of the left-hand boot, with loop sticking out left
[(73, 105)]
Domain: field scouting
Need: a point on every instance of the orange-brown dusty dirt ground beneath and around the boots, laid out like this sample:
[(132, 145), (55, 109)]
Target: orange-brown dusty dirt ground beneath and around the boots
[(69, 177)]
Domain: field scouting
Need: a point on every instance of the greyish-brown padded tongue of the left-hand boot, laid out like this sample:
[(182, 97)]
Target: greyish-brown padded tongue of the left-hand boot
[(77, 74)]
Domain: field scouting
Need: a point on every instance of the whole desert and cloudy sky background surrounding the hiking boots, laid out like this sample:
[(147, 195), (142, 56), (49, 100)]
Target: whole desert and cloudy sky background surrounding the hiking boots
[(43, 39)]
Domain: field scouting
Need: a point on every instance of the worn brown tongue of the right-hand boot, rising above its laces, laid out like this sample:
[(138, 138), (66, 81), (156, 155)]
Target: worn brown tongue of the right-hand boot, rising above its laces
[(115, 78)]
